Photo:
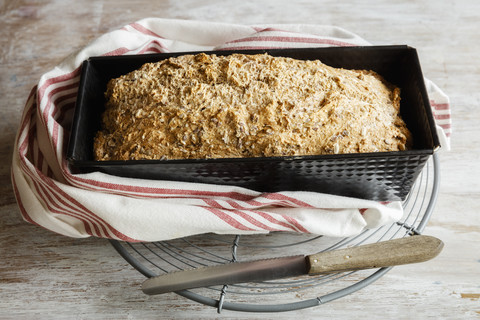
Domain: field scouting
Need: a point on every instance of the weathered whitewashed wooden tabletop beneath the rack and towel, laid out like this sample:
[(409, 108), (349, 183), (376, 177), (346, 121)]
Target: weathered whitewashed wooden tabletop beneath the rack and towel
[(48, 276)]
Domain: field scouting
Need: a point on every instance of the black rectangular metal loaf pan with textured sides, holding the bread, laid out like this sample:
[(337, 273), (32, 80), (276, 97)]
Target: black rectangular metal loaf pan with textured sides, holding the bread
[(383, 176)]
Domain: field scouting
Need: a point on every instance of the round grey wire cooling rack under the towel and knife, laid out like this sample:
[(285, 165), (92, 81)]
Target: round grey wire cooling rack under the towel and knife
[(157, 258)]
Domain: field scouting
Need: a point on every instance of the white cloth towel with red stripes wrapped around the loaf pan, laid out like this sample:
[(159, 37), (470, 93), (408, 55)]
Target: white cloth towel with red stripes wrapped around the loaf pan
[(97, 204)]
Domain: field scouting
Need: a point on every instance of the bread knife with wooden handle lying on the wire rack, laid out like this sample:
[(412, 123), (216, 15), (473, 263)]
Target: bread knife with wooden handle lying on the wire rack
[(412, 249)]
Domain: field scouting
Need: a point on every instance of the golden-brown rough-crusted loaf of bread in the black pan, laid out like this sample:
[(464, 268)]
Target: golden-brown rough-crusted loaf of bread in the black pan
[(208, 106)]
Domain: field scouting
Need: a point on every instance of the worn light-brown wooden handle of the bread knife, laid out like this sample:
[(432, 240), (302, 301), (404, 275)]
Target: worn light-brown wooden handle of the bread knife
[(407, 250)]
